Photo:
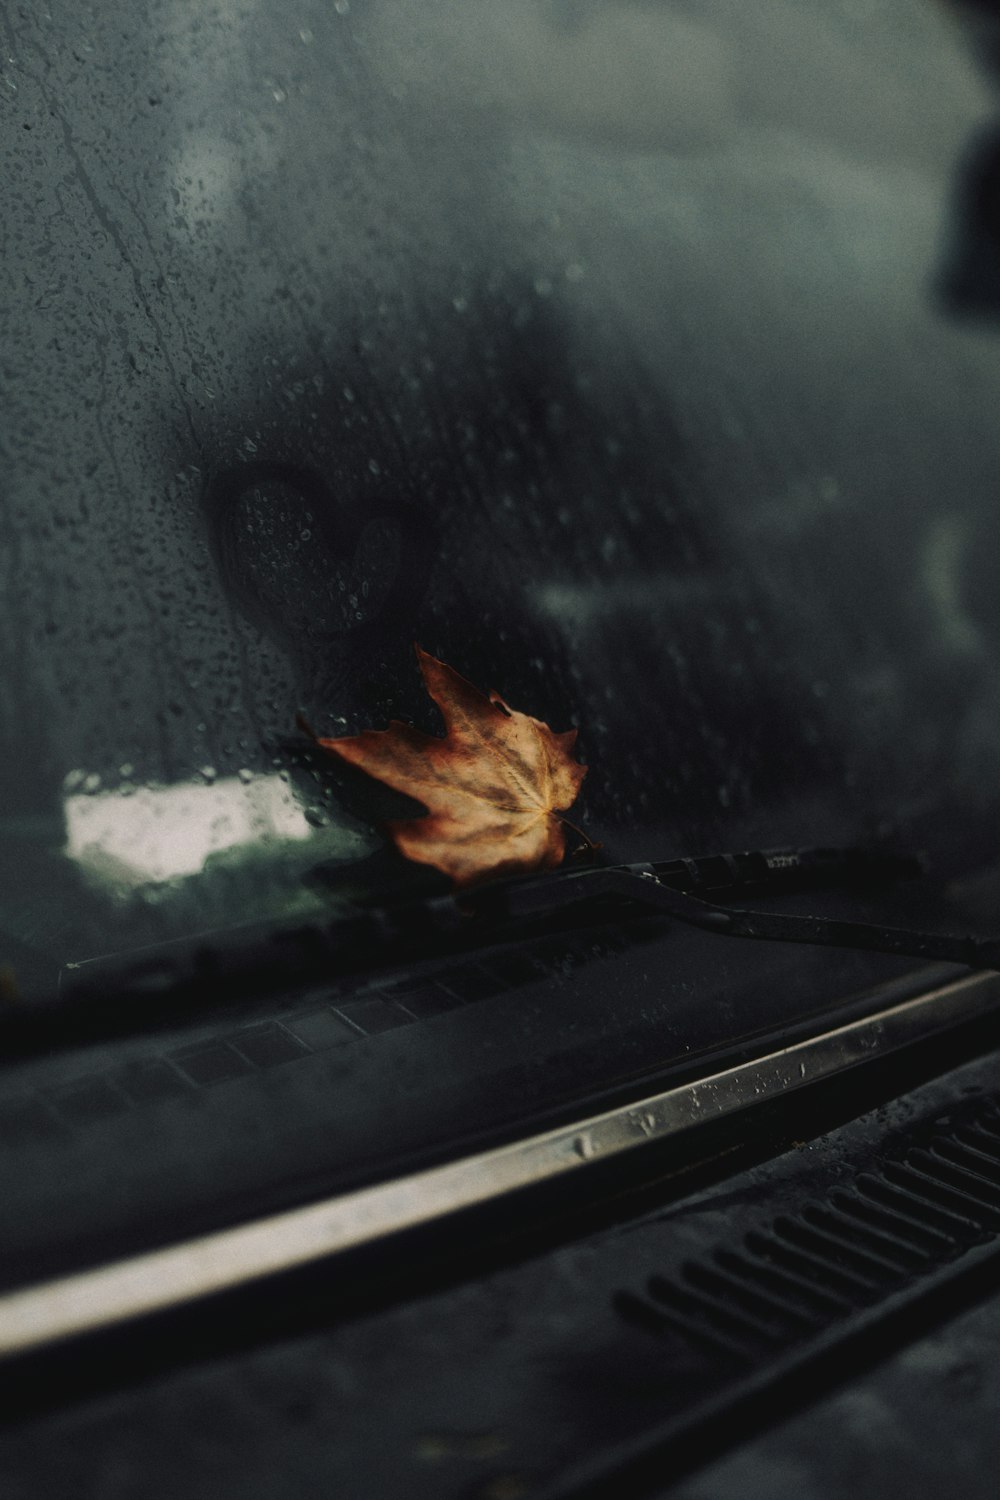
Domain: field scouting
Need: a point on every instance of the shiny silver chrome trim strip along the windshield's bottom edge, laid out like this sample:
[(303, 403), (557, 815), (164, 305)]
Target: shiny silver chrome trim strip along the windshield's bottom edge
[(106, 1297)]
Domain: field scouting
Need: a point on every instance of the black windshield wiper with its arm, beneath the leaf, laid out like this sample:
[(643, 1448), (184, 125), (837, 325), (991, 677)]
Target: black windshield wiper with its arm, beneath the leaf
[(164, 986)]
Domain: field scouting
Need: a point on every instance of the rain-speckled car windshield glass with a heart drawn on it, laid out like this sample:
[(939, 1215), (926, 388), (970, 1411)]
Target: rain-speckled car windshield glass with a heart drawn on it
[(627, 356)]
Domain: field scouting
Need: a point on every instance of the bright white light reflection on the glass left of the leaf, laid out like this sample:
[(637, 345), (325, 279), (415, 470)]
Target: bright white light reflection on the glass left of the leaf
[(160, 833)]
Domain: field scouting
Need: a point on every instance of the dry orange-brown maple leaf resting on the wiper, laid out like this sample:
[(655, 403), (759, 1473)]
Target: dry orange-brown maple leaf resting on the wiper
[(493, 788)]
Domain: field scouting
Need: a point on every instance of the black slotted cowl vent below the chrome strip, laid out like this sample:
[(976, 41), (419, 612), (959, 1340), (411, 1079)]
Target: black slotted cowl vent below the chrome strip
[(804, 1274)]
